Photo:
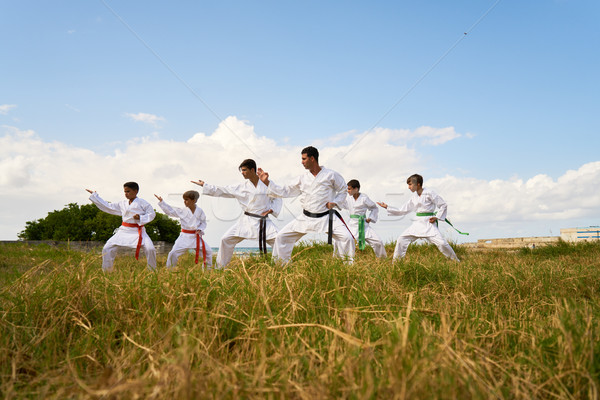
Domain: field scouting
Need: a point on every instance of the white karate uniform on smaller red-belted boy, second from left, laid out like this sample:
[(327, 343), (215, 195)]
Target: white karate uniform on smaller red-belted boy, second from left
[(190, 221)]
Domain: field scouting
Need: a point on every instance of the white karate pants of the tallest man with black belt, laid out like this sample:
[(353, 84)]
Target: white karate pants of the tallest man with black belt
[(343, 242)]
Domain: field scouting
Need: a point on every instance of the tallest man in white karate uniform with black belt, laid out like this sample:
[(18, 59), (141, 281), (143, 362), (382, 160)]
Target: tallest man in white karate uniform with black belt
[(321, 190)]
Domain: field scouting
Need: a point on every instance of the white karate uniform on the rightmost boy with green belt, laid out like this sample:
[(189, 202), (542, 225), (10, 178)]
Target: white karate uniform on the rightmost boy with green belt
[(421, 228)]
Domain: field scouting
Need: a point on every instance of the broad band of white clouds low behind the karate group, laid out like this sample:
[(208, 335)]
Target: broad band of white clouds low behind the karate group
[(38, 176)]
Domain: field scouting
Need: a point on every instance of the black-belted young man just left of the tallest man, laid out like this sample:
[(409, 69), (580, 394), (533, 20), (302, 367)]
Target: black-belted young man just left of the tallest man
[(254, 224)]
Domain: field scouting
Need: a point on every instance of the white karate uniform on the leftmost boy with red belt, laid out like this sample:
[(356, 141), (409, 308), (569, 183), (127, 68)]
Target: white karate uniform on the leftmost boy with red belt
[(125, 236)]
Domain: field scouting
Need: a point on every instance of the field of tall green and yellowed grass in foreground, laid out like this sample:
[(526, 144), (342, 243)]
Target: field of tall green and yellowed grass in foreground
[(498, 325)]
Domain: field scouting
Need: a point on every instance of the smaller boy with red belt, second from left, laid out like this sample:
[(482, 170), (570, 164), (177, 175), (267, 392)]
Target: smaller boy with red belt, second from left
[(193, 223)]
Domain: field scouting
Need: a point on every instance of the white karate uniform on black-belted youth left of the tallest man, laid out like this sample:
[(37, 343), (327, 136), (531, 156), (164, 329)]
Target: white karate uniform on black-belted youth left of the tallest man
[(252, 199)]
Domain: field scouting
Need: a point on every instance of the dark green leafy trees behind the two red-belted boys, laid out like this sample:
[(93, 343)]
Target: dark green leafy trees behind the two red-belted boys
[(87, 222)]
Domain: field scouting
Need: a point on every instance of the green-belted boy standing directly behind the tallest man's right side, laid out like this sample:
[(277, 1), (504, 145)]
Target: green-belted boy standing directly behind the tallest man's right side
[(358, 204)]
